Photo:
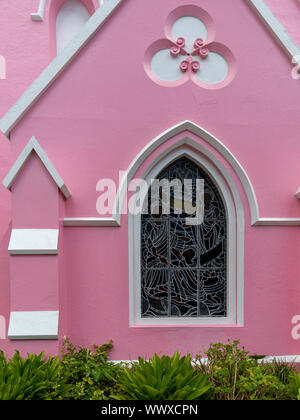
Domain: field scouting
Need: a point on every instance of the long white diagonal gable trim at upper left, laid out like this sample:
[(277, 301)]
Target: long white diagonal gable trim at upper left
[(53, 70)]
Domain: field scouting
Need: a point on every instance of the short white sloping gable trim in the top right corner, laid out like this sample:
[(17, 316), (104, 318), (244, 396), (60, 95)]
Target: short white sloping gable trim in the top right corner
[(274, 26)]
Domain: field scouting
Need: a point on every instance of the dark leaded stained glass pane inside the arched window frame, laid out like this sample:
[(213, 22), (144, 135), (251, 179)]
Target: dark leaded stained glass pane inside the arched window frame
[(183, 267)]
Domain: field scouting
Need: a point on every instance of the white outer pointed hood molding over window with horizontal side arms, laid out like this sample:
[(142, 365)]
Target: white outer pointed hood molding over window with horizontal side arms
[(193, 128)]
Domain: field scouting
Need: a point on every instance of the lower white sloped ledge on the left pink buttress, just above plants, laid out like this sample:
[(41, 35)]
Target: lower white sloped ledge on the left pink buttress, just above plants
[(36, 325)]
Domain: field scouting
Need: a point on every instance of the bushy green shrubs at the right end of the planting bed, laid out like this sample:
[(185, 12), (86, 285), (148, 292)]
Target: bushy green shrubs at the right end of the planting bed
[(235, 375)]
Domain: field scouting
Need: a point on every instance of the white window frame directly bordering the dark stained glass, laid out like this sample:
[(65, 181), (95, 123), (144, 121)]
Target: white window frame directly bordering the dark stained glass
[(235, 218)]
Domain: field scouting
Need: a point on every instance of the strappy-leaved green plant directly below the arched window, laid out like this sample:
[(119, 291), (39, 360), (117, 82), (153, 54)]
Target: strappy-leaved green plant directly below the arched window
[(165, 378)]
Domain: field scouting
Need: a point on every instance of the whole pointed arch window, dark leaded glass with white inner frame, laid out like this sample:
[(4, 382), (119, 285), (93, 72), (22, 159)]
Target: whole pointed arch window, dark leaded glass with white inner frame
[(183, 274)]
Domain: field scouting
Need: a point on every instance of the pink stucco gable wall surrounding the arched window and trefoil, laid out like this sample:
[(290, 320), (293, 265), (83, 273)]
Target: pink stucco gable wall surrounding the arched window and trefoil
[(99, 115)]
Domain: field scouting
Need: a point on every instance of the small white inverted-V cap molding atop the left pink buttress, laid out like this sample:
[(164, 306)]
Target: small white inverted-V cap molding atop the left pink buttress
[(31, 146)]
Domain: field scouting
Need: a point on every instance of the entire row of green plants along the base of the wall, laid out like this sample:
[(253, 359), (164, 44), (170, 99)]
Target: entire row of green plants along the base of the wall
[(229, 373)]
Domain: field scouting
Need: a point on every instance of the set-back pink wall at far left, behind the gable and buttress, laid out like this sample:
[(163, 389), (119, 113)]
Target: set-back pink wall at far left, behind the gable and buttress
[(23, 43)]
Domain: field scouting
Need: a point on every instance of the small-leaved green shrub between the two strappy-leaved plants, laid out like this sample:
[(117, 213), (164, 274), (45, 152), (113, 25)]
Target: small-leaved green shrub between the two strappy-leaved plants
[(87, 374)]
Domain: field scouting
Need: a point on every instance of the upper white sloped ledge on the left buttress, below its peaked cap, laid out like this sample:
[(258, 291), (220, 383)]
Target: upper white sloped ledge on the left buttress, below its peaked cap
[(33, 242)]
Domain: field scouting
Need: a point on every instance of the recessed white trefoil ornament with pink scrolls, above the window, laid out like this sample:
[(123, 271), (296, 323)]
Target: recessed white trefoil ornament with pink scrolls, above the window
[(190, 53)]
